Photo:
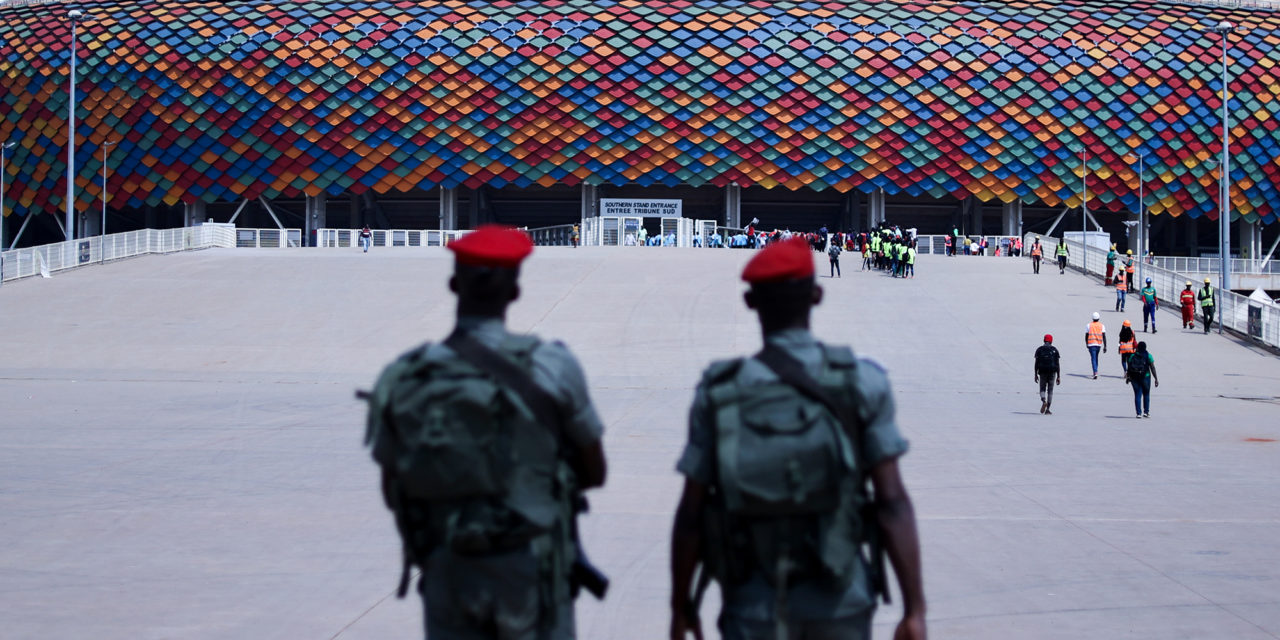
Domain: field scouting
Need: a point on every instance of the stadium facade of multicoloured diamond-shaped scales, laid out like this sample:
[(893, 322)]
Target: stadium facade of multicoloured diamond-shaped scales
[(216, 100)]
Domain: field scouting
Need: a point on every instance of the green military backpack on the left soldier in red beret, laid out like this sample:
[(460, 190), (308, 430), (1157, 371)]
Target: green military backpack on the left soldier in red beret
[(472, 468)]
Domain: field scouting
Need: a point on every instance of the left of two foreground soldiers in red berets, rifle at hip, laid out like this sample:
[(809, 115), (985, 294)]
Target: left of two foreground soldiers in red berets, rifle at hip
[(487, 442)]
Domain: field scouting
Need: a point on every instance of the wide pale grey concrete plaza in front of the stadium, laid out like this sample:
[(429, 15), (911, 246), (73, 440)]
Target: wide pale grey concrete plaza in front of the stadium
[(180, 449)]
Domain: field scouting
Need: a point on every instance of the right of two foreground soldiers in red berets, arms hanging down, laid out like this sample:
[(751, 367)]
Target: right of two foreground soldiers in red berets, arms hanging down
[(781, 450)]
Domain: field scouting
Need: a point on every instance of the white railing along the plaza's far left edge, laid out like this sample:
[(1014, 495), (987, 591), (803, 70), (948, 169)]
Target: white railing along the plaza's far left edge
[(47, 259)]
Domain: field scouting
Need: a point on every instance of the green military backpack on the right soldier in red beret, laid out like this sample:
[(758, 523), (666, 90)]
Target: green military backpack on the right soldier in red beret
[(790, 493)]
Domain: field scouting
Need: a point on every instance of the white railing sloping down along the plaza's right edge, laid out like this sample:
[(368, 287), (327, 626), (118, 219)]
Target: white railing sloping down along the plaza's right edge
[(1240, 314)]
